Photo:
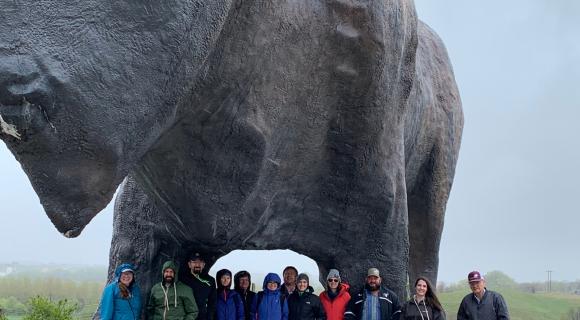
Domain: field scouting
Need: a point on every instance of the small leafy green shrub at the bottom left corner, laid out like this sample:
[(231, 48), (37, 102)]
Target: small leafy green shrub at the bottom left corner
[(41, 308)]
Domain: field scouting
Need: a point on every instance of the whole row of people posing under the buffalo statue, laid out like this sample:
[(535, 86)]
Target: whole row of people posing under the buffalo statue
[(197, 296)]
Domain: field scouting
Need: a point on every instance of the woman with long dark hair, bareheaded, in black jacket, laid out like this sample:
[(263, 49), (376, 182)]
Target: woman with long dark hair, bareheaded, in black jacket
[(424, 305)]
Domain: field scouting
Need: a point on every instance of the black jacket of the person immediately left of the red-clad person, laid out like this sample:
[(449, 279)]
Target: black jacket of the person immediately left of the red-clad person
[(305, 306)]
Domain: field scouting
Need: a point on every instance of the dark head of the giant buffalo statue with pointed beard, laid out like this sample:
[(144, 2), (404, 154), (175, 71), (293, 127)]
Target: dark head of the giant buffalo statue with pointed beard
[(86, 87)]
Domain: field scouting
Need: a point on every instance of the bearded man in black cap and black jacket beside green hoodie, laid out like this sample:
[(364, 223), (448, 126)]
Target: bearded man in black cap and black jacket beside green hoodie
[(203, 286)]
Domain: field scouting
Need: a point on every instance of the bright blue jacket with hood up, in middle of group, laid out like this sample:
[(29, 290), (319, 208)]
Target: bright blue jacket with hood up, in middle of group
[(272, 306)]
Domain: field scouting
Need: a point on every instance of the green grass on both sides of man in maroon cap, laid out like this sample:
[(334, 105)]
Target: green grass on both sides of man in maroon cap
[(522, 306)]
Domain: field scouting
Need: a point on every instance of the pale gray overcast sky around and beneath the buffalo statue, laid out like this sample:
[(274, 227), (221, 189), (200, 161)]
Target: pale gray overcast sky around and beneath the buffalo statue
[(514, 204)]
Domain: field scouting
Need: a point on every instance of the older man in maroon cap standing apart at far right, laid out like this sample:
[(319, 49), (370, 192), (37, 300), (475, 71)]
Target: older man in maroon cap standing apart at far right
[(482, 304)]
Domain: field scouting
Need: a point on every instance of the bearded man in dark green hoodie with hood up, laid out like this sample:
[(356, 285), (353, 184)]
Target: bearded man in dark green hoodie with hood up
[(170, 299)]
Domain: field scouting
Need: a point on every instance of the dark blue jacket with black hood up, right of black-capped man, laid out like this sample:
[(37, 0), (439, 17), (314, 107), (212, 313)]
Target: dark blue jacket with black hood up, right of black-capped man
[(229, 305)]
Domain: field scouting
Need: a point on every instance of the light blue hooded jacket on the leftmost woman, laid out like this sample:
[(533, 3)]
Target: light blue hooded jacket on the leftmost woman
[(114, 306)]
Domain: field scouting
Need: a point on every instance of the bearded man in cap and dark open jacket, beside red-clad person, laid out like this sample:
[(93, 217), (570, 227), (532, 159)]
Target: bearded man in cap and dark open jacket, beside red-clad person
[(374, 302)]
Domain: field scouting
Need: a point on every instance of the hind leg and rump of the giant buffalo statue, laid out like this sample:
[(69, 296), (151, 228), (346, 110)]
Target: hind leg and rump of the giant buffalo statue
[(431, 152)]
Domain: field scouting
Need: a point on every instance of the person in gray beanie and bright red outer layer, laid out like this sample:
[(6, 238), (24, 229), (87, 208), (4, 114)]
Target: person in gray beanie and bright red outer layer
[(336, 296)]
